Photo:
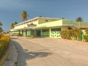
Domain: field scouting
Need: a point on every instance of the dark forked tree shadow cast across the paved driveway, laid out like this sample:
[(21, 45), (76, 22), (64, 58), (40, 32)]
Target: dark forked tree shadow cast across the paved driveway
[(24, 54)]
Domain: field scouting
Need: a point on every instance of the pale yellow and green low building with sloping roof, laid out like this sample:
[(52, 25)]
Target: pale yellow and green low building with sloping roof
[(46, 27)]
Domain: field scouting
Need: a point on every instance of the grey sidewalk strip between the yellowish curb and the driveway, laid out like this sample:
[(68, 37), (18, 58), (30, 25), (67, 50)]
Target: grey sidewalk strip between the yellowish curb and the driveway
[(12, 58)]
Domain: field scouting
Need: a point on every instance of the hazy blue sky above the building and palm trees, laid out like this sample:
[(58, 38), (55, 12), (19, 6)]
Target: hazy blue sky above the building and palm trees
[(10, 10)]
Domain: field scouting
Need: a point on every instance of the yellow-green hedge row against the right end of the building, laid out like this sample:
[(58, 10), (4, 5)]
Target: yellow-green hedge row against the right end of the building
[(75, 33)]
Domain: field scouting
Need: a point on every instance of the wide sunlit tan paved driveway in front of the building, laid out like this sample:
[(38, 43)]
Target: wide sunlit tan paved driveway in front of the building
[(51, 52)]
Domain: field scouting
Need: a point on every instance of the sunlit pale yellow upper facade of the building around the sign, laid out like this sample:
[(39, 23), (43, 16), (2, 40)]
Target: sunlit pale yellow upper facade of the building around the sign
[(47, 24)]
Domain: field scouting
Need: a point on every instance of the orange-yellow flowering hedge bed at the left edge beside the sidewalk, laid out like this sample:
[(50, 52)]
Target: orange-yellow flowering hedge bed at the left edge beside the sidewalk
[(4, 44)]
